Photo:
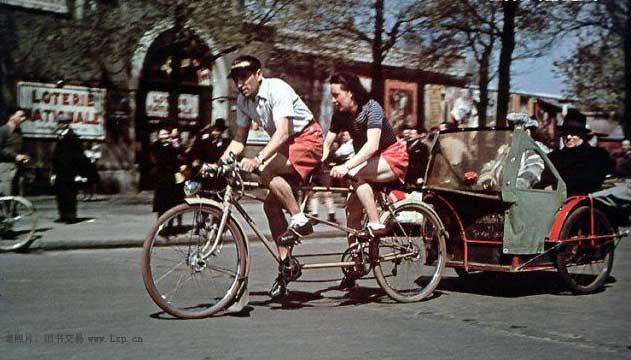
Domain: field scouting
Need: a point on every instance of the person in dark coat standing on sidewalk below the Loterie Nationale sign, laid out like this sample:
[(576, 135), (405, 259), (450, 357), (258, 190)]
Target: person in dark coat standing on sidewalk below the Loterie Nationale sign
[(67, 159)]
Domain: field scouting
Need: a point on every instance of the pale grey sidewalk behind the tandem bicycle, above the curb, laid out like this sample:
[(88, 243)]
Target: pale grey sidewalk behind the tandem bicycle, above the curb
[(124, 220)]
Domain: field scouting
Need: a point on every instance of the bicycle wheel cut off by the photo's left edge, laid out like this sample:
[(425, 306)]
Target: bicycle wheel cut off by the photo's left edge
[(17, 223)]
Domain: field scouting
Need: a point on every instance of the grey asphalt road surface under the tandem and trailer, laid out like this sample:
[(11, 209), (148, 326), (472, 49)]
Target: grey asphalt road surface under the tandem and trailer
[(92, 304)]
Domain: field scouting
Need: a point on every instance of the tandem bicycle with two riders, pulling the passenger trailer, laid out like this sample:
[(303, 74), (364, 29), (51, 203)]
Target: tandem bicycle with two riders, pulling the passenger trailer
[(200, 268)]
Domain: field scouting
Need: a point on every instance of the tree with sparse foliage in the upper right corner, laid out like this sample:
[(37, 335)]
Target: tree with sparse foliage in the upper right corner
[(599, 70)]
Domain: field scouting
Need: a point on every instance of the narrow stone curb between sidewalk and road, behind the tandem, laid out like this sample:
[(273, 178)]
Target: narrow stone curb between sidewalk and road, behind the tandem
[(137, 243)]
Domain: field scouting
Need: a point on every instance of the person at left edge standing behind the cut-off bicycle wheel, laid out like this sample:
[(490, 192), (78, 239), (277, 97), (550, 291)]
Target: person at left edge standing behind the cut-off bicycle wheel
[(11, 154)]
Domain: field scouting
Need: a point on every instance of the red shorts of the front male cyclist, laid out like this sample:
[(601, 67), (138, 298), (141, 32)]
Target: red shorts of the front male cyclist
[(304, 150)]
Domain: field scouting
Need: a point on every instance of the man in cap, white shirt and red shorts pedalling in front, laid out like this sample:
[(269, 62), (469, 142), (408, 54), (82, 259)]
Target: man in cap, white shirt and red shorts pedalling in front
[(294, 150)]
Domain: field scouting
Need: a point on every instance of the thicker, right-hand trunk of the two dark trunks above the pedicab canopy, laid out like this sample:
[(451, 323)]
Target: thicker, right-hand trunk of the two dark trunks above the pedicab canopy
[(508, 44)]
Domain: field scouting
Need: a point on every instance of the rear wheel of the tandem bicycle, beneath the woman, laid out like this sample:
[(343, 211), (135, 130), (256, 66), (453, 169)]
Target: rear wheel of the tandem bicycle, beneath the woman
[(411, 260)]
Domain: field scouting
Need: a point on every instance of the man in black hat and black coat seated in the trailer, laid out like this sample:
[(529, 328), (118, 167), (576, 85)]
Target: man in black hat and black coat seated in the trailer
[(582, 167)]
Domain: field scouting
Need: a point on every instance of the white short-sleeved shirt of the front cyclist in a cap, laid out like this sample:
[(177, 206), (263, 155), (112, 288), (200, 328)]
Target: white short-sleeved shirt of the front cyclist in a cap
[(275, 100)]
